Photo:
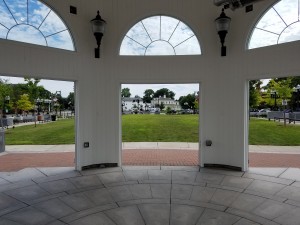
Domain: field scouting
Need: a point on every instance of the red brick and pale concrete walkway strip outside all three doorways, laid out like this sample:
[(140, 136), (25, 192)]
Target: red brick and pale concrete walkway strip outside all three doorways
[(17, 157)]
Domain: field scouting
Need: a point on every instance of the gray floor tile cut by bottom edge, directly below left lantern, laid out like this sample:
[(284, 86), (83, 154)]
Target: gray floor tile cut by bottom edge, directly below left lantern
[(94, 219)]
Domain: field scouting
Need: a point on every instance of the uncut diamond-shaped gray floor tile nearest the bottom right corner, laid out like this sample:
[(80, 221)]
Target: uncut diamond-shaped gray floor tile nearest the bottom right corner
[(271, 209)]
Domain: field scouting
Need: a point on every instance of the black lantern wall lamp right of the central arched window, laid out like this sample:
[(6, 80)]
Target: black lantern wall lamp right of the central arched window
[(222, 25)]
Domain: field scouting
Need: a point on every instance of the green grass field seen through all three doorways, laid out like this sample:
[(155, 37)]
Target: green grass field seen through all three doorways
[(153, 128)]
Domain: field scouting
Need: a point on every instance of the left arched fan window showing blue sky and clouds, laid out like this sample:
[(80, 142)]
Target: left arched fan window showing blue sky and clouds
[(31, 21)]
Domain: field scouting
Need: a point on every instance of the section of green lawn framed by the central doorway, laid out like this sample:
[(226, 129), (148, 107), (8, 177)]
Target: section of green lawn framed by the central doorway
[(160, 128)]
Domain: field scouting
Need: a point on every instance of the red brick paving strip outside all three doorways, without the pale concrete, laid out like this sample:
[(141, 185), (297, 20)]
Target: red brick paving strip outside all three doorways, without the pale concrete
[(18, 161)]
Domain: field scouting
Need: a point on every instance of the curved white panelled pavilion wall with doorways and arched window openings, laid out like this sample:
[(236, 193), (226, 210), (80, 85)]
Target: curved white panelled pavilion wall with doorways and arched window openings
[(223, 79)]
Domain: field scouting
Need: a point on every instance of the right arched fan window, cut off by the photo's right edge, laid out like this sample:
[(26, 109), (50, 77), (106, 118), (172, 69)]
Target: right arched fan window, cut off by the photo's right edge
[(278, 25)]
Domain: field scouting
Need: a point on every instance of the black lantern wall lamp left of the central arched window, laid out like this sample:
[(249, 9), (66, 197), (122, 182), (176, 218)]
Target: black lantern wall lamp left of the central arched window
[(98, 27)]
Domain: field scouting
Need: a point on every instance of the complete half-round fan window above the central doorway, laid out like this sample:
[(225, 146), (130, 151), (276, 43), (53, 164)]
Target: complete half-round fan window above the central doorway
[(160, 35)]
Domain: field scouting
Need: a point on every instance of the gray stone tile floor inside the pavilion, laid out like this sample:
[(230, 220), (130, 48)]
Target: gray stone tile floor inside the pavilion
[(150, 195)]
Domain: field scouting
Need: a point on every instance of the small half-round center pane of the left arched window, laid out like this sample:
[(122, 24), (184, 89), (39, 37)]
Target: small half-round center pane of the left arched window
[(27, 34)]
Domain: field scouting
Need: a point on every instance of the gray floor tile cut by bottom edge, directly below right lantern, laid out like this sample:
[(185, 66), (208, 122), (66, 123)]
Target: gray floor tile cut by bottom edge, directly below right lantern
[(217, 218)]
